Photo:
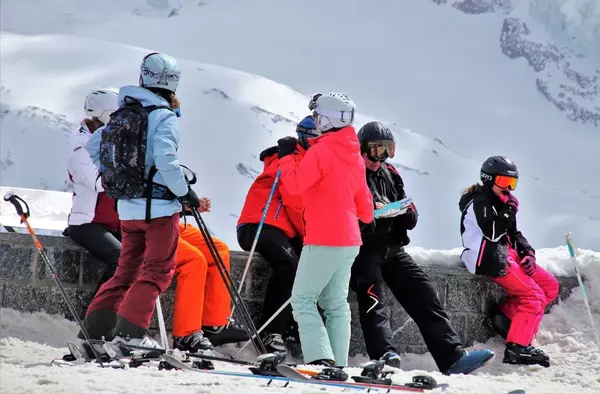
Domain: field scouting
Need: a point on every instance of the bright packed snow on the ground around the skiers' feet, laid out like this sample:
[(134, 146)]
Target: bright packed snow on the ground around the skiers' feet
[(28, 341)]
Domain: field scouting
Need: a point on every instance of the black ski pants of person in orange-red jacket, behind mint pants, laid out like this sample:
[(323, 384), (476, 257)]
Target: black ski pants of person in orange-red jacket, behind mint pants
[(282, 254)]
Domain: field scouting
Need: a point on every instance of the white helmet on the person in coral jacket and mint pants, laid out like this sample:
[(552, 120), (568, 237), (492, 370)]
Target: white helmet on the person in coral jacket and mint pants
[(334, 111)]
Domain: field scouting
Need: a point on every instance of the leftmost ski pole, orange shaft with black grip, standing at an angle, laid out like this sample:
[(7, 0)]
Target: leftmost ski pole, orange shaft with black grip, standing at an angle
[(16, 202)]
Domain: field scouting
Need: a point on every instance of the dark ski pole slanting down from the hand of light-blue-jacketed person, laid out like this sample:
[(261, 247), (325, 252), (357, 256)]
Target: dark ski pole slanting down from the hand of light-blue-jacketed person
[(233, 293)]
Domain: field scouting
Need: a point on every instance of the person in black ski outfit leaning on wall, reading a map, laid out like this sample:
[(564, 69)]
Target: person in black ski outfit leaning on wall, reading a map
[(382, 258)]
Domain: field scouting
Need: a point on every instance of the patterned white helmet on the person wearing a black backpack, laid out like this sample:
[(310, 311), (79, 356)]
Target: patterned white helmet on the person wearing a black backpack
[(159, 70)]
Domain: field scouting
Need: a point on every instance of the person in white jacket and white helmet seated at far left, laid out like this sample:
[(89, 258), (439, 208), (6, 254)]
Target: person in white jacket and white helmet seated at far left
[(93, 220)]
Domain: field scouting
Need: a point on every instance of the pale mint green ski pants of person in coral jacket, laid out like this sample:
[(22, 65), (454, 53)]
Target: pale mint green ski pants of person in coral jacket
[(323, 276)]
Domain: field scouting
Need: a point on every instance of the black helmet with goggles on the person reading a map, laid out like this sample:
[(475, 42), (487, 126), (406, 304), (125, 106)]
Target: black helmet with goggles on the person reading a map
[(377, 141)]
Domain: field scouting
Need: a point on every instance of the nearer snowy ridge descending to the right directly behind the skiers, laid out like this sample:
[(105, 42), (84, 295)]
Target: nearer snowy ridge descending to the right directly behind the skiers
[(228, 118)]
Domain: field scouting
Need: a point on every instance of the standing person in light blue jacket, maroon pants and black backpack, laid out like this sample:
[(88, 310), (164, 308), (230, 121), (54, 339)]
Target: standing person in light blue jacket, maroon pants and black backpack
[(124, 305)]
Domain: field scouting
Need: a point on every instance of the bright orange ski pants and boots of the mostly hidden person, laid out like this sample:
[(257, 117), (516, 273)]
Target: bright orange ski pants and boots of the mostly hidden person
[(202, 302)]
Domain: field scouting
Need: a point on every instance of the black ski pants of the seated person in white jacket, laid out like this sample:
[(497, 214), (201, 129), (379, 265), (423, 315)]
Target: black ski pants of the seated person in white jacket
[(103, 244)]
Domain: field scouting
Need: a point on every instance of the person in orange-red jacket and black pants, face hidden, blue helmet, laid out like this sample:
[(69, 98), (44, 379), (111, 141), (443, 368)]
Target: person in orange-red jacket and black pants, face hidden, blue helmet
[(280, 240)]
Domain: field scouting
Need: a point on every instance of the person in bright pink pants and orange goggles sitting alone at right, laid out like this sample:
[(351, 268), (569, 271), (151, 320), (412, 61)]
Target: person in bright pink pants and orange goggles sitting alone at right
[(496, 248)]
